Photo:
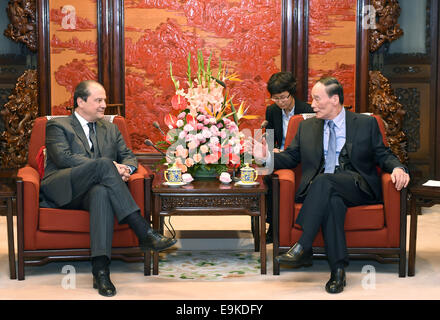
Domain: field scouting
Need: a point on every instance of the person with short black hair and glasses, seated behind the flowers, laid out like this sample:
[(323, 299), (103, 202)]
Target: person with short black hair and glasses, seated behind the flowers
[(282, 89)]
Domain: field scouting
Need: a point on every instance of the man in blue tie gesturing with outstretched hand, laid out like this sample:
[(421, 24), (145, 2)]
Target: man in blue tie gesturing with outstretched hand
[(339, 151)]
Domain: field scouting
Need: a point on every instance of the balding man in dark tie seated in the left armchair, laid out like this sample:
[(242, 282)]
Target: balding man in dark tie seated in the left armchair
[(88, 164)]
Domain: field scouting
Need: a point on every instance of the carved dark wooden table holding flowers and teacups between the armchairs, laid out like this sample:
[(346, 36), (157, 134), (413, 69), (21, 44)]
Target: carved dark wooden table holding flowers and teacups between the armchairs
[(211, 198)]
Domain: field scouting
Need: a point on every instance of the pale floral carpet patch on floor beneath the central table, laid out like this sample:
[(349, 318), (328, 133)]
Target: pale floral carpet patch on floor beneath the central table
[(208, 265)]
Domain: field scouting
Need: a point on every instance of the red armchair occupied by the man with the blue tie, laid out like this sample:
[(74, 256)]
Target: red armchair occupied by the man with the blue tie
[(372, 231)]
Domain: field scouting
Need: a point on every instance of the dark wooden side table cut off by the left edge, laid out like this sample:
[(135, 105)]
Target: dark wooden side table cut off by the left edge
[(7, 201)]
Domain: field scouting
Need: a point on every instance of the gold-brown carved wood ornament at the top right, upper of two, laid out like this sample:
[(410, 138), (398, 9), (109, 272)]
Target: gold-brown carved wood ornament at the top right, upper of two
[(387, 28)]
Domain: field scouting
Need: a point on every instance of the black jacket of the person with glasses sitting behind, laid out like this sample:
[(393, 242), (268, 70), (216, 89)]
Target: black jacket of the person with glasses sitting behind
[(275, 118)]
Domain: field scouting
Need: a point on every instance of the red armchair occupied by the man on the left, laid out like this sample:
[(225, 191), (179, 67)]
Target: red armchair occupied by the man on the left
[(47, 234)]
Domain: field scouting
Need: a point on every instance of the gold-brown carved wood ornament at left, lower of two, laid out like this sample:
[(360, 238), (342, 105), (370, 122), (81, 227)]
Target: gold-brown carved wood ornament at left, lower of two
[(19, 114)]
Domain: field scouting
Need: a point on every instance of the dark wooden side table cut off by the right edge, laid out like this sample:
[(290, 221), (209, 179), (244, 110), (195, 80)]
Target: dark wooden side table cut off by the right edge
[(421, 196)]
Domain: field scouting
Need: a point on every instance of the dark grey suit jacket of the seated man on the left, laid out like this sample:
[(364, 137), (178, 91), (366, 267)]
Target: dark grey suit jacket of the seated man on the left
[(68, 147)]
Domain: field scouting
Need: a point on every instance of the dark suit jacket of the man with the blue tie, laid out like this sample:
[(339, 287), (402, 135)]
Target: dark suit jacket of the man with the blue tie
[(363, 150)]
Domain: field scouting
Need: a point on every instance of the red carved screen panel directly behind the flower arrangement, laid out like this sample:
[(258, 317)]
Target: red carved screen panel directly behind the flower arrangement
[(245, 34)]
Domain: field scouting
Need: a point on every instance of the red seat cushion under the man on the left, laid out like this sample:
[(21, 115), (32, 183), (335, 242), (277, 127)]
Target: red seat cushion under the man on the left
[(67, 220)]
